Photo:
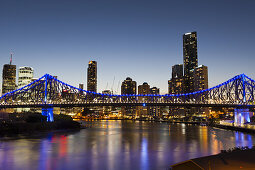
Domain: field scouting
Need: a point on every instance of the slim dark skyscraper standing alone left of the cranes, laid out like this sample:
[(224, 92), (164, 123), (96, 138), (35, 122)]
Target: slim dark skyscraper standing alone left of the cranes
[(92, 76)]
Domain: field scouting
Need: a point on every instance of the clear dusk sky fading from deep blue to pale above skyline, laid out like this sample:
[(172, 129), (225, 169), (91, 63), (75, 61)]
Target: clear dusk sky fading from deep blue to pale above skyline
[(140, 39)]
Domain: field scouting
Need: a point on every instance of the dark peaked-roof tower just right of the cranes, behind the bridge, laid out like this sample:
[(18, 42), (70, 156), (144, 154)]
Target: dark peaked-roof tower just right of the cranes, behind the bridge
[(128, 86)]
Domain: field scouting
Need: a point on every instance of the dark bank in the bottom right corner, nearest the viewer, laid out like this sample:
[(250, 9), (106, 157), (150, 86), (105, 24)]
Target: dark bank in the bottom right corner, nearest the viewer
[(237, 158)]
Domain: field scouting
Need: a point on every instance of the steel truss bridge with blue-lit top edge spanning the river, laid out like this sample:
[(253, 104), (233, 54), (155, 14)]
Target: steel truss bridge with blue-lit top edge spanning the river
[(48, 92)]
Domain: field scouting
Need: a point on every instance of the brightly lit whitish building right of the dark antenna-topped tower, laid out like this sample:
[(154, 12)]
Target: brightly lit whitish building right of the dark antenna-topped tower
[(26, 75)]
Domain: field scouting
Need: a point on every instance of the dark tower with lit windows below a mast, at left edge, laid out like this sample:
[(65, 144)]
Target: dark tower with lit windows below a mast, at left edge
[(9, 78)]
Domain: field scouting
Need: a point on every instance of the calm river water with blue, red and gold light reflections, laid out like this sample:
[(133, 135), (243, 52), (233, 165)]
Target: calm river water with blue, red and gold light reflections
[(117, 145)]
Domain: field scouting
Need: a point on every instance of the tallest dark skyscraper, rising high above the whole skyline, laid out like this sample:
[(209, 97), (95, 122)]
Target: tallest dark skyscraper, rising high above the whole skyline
[(189, 59)]
